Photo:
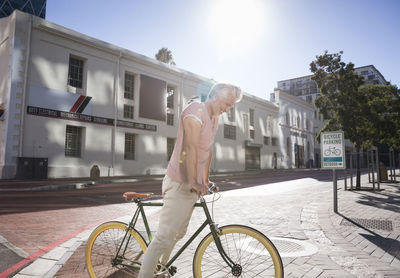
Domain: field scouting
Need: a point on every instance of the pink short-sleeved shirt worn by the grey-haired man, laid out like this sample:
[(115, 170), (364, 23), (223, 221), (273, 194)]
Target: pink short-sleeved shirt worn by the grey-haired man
[(177, 165)]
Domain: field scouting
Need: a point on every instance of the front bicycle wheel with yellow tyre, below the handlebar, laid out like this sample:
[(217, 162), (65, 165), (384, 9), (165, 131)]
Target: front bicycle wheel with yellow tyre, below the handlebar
[(251, 252)]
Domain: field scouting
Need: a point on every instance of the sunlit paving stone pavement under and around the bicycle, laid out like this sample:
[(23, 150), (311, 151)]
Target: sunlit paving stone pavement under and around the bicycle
[(361, 240)]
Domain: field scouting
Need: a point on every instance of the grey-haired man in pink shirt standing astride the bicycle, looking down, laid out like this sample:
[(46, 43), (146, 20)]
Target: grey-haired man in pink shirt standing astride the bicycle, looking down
[(187, 175)]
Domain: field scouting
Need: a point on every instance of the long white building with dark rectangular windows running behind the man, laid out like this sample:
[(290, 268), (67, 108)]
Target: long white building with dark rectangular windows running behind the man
[(73, 102)]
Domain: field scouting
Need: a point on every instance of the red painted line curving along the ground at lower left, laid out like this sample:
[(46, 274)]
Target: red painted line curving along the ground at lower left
[(49, 247)]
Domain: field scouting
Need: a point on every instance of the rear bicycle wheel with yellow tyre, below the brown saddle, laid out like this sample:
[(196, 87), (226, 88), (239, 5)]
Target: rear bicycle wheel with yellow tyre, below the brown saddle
[(102, 247)]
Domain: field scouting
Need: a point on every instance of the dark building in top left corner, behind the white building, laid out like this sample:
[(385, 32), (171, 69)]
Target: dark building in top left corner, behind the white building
[(35, 7)]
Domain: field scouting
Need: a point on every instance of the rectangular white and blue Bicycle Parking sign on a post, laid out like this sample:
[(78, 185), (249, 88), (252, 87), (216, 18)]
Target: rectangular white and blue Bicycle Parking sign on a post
[(332, 150)]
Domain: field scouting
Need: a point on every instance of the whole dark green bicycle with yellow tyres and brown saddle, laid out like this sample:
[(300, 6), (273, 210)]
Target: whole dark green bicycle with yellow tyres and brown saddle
[(115, 249)]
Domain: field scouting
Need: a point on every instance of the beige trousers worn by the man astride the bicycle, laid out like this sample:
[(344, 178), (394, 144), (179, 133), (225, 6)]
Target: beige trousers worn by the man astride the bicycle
[(175, 216)]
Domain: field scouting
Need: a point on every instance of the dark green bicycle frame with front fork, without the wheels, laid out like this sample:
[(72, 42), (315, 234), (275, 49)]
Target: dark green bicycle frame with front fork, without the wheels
[(140, 211)]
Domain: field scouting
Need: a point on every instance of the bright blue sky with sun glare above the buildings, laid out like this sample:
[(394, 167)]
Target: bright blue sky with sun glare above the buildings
[(252, 43)]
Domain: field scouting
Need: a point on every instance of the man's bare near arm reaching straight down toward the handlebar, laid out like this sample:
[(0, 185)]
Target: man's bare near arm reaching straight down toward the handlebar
[(192, 129)]
